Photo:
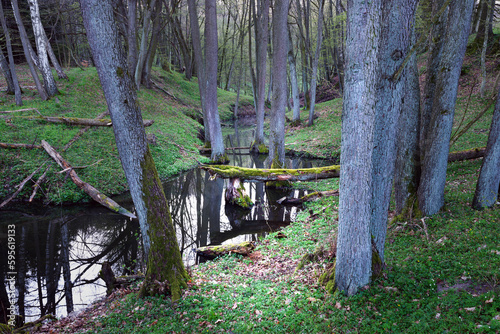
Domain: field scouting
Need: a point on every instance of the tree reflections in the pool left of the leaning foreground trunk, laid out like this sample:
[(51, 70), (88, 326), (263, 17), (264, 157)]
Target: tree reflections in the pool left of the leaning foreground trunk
[(55, 256)]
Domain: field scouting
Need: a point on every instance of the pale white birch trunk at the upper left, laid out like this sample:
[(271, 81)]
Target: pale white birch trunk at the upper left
[(41, 47)]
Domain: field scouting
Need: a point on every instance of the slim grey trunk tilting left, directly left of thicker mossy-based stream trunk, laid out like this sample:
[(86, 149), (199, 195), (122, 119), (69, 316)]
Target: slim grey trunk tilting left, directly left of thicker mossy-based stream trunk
[(200, 66)]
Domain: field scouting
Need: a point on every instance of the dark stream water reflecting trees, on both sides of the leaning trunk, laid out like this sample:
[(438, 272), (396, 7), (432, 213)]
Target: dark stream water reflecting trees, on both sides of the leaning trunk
[(59, 250)]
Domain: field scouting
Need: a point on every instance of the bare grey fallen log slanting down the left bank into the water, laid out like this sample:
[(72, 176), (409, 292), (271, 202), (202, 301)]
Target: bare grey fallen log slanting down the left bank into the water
[(90, 190)]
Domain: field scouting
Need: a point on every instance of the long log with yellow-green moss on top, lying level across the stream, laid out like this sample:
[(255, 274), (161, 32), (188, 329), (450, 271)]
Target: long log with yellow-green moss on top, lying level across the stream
[(259, 174)]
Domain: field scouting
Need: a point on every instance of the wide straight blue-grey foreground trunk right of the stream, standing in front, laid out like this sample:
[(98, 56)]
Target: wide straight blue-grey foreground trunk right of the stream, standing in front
[(353, 268)]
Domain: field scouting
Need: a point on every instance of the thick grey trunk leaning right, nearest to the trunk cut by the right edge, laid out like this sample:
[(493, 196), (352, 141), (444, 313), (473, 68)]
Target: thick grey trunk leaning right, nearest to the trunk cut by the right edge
[(437, 138)]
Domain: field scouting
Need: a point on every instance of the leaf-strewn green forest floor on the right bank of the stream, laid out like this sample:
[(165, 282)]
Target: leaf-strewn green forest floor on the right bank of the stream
[(442, 272)]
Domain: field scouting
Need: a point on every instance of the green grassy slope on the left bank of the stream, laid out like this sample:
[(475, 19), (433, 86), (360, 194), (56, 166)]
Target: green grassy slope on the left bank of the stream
[(82, 97)]
